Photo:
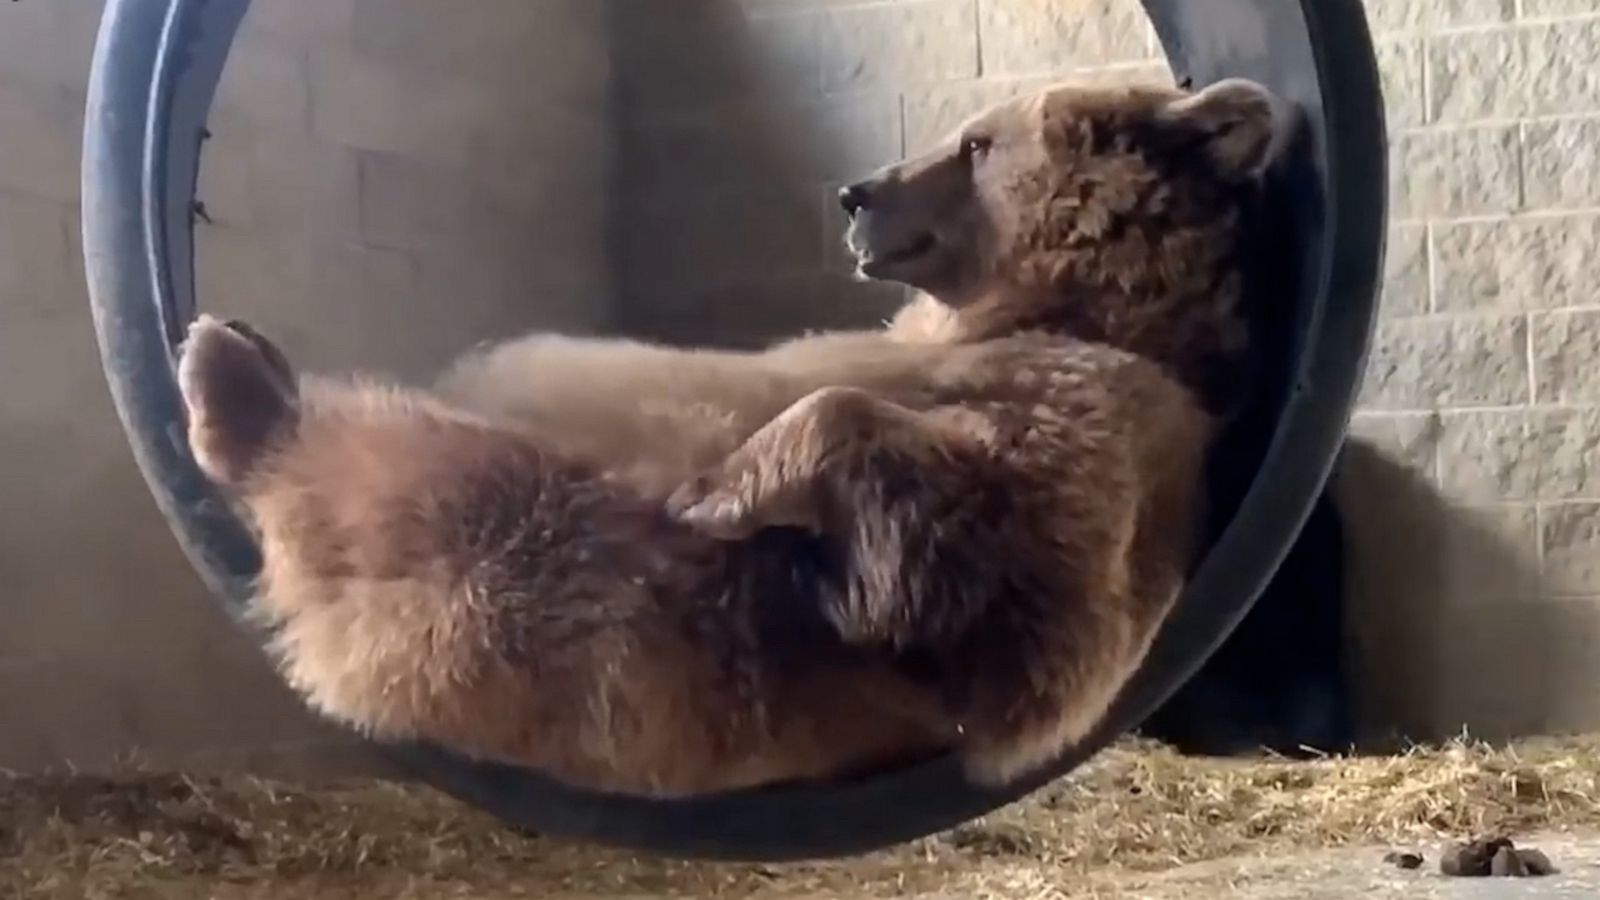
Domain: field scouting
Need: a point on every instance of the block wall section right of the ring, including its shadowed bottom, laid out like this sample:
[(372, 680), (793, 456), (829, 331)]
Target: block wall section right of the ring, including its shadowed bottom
[(1474, 491)]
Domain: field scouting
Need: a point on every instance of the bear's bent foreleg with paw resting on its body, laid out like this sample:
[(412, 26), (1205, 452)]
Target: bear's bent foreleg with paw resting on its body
[(871, 476)]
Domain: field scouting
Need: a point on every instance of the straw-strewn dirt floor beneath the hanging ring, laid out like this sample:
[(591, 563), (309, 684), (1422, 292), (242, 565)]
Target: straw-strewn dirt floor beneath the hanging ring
[(1138, 822)]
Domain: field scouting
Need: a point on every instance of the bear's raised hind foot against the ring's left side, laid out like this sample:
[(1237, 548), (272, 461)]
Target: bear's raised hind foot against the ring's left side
[(241, 395)]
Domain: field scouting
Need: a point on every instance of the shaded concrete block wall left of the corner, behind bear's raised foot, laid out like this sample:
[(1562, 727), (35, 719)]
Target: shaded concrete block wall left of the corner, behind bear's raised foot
[(390, 182)]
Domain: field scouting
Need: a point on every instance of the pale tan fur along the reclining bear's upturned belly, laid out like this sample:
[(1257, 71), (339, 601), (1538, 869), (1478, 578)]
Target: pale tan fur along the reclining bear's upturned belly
[(655, 416)]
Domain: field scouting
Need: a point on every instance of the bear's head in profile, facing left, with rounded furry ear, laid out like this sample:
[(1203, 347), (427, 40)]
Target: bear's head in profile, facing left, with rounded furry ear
[(1114, 214)]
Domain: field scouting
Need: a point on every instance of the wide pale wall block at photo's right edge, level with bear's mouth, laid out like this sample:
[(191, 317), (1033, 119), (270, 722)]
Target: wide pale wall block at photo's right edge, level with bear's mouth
[(1518, 265)]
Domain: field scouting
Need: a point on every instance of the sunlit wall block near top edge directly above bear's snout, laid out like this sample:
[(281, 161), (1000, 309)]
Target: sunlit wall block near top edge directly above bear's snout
[(914, 42)]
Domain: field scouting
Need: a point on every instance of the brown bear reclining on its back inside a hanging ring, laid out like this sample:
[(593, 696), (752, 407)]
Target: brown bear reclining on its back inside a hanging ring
[(956, 534)]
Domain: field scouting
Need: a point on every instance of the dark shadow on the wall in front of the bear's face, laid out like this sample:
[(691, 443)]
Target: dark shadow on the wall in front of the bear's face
[(724, 222)]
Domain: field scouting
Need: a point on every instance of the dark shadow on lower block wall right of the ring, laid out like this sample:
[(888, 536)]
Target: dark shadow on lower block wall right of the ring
[(1450, 629)]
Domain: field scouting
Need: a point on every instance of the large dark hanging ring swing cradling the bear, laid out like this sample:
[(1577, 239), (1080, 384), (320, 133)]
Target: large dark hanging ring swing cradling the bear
[(154, 74)]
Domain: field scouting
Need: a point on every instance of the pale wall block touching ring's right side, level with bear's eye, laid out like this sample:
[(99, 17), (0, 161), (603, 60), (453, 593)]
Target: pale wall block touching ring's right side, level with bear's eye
[(1458, 172)]
